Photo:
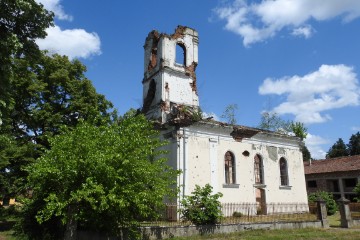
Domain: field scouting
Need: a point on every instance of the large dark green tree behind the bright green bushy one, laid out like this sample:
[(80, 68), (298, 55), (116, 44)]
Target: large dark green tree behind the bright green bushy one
[(46, 95)]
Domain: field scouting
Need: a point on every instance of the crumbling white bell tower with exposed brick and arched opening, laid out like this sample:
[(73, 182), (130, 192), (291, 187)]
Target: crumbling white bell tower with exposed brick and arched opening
[(169, 87)]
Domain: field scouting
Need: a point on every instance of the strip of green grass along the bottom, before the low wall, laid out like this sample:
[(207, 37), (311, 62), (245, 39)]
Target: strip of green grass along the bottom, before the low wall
[(298, 234)]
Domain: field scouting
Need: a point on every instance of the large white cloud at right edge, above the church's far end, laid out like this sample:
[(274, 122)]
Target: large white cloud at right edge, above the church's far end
[(330, 87)]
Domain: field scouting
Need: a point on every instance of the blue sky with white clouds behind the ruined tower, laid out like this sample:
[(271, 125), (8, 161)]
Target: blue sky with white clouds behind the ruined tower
[(298, 58)]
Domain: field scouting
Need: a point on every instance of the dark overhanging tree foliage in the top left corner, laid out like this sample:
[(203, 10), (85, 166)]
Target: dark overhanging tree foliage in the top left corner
[(21, 23)]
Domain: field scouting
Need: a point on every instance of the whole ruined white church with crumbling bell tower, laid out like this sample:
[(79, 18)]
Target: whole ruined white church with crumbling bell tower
[(247, 165)]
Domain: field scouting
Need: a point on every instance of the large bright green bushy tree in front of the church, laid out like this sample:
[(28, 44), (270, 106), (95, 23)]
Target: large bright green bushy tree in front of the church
[(99, 178)]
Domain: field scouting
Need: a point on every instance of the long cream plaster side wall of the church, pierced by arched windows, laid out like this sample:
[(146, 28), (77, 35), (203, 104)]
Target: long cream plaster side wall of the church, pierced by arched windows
[(200, 167)]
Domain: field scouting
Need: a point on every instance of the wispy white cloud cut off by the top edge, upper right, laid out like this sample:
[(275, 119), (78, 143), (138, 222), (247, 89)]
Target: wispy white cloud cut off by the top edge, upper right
[(256, 22)]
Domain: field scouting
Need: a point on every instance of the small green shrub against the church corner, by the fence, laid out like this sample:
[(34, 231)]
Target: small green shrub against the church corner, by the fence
[(202, 207)]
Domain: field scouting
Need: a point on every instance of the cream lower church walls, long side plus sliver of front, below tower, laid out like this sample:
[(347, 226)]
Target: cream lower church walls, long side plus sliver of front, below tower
[(200, 150)]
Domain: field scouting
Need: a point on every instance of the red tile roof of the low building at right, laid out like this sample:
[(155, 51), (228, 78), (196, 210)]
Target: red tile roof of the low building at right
[(340, 164)]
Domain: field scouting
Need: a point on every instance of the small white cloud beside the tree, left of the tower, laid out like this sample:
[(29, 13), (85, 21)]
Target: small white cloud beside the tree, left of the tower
[(75, 43)]
